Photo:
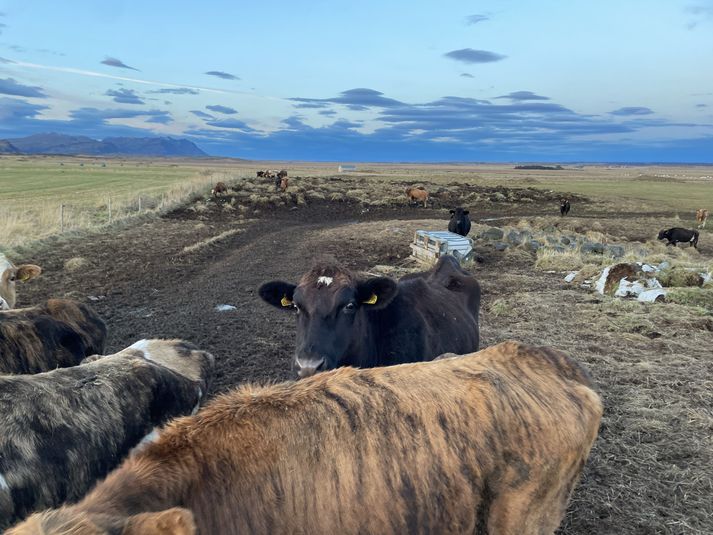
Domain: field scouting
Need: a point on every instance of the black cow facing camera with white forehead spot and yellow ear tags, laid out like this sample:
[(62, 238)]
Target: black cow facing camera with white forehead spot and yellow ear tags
[(347, 320)]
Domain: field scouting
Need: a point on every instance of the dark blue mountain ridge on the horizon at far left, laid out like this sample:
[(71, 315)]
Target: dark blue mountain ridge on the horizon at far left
[(112, 146)]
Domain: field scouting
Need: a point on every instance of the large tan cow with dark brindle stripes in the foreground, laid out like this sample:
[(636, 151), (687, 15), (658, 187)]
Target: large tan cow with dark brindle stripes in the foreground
[(491, 442)]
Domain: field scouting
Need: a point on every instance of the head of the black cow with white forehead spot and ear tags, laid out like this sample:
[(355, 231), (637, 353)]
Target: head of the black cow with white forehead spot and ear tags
[(332, 308)]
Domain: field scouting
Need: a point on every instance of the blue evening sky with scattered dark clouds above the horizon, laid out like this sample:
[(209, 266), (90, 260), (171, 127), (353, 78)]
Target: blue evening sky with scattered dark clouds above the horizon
[(475, 81)]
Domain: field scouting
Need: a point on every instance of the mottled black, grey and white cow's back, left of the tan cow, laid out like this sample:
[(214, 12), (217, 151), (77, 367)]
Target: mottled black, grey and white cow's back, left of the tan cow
[(65, 429)]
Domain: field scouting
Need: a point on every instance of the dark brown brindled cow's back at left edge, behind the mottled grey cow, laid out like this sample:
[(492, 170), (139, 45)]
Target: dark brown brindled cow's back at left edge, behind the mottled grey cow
[(56, 334)]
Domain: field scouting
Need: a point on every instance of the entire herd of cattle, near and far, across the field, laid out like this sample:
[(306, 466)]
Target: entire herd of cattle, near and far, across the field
[(413, 424)]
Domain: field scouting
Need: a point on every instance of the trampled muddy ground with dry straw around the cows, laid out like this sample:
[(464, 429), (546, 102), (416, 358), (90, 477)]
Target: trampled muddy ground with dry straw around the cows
[(650, 471)]
